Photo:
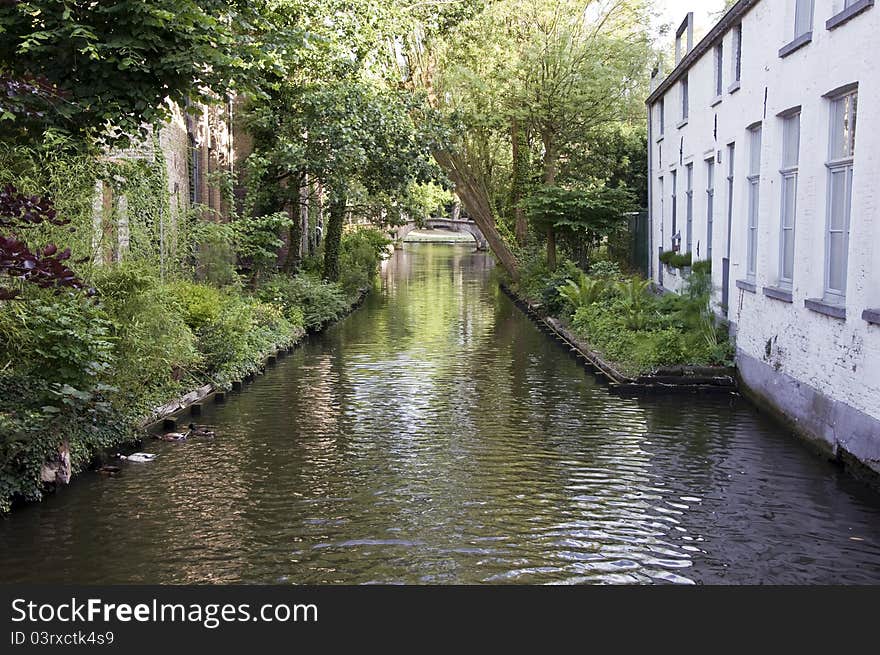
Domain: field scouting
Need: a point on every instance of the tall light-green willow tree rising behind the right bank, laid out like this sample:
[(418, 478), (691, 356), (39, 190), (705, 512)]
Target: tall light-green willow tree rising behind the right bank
[(549, 69)]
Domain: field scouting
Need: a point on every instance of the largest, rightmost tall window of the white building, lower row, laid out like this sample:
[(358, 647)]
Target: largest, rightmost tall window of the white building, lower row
[(840, 170)]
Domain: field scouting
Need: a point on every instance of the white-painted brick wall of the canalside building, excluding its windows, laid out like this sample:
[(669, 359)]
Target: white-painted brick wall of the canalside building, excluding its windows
[(839, 358)]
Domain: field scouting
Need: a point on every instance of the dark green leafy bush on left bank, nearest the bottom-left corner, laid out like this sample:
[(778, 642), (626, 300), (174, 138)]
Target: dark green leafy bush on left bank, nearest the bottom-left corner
[(54, 353)]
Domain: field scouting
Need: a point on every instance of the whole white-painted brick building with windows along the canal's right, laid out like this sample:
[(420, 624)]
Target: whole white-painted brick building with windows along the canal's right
[(764, 156)]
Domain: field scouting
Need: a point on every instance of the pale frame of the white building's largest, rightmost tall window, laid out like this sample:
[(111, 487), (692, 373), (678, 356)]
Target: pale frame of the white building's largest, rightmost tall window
[(839, 165)]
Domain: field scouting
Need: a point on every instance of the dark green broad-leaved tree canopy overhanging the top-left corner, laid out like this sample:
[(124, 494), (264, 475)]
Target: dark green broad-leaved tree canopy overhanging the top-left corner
[(115, 63)]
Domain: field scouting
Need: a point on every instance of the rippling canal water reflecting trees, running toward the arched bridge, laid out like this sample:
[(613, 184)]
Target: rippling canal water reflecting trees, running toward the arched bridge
[(436, 436)]
